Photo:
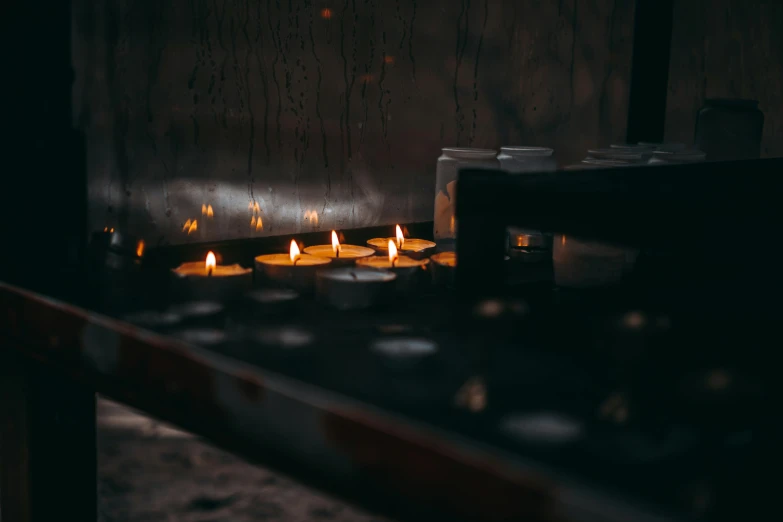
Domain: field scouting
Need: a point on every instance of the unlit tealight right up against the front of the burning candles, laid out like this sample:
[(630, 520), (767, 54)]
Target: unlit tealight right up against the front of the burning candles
[(355, 288)]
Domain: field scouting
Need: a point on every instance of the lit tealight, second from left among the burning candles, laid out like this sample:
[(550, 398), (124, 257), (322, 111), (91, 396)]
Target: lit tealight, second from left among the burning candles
[(293, 270)]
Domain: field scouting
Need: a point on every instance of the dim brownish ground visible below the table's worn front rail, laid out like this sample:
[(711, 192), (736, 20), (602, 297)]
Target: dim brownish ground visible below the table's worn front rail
[(150, 472)]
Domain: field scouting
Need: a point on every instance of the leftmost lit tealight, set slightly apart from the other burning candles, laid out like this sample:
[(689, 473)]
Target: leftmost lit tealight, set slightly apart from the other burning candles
[(210, 281)]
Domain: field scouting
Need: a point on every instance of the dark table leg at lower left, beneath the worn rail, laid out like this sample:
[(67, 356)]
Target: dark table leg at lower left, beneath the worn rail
[(47, 444)]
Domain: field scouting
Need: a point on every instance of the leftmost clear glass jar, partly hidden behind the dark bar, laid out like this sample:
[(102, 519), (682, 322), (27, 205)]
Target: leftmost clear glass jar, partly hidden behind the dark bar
[(449, 164)]
